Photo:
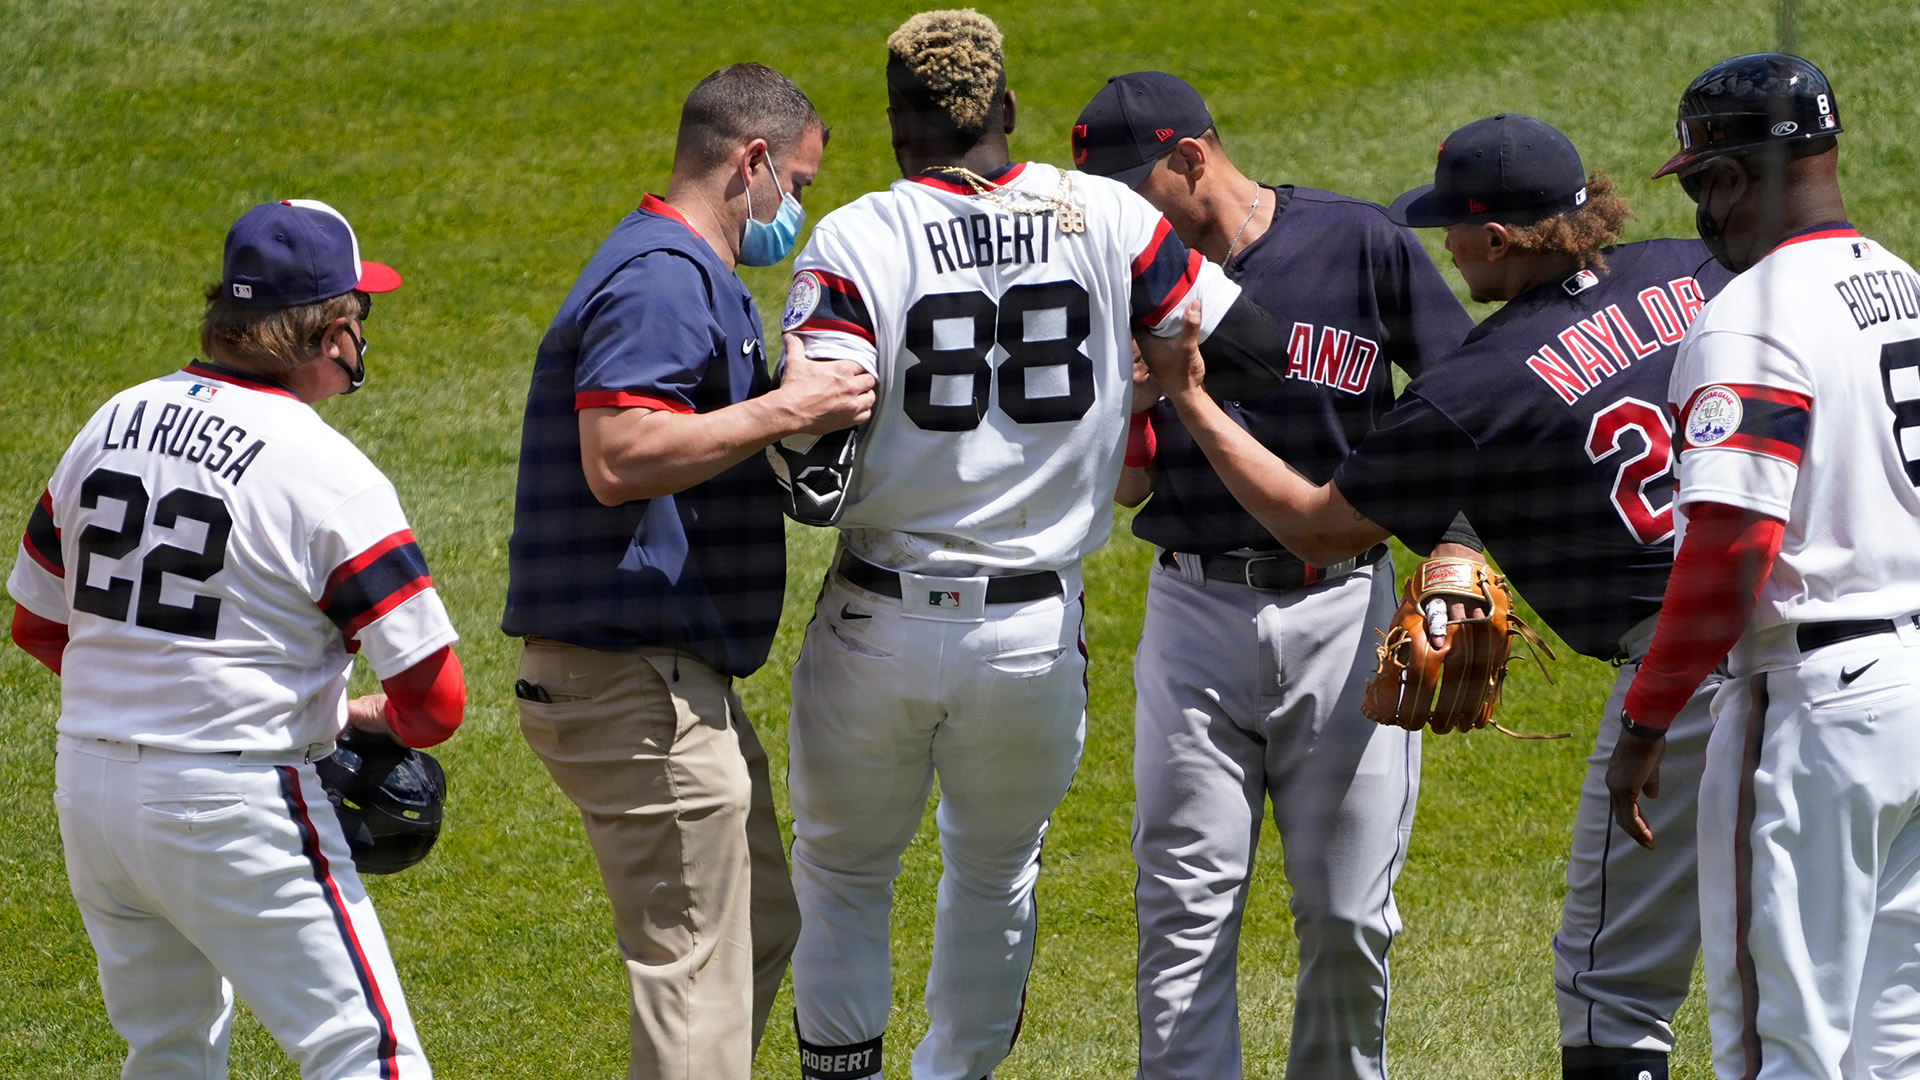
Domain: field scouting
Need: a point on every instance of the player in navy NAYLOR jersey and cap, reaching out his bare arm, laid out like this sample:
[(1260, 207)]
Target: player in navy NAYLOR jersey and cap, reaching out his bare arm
[(1547, 431)]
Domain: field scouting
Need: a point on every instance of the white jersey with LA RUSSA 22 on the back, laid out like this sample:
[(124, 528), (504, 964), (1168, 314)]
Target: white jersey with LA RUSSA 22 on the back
[(218, 554)]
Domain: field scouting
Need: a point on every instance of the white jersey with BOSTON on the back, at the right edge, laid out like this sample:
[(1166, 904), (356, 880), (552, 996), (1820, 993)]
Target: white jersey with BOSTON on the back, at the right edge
[(1798, 395)]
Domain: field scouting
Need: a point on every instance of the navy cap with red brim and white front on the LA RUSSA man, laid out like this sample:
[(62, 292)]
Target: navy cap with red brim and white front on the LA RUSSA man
[(300, 251)]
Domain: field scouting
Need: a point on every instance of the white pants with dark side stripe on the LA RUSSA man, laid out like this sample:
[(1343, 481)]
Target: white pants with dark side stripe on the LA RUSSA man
[(201, 875)]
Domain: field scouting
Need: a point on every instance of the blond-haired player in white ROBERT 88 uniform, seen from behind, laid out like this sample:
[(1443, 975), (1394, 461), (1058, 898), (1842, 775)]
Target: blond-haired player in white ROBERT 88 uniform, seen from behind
[(994, 303)]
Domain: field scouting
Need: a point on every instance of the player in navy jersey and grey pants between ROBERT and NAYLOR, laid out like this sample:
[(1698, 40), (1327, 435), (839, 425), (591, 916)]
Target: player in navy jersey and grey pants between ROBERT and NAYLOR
[(1216, 735)]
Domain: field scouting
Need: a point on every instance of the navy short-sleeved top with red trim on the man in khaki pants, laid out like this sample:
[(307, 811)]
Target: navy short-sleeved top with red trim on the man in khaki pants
[(654, 322)]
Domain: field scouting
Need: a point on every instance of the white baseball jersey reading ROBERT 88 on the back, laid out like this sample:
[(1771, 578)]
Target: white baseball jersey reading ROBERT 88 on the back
[(1001, 353)]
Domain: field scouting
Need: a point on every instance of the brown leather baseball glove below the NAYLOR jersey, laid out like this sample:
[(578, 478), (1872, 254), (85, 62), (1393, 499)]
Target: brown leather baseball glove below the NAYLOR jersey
[(1451, 687)]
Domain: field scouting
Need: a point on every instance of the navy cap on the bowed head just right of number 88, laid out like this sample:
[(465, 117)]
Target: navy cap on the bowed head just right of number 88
[(1134, 122)]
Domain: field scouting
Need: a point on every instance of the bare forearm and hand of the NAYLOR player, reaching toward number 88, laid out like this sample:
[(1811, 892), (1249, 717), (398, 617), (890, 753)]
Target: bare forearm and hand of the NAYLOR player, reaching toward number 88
[(1314, 522)]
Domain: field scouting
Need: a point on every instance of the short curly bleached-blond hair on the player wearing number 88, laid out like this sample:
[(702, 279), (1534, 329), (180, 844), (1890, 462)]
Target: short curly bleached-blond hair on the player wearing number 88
[(957, 61)]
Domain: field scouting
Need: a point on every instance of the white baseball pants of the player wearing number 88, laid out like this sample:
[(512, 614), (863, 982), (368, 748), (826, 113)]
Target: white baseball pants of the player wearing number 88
[(890, 695)]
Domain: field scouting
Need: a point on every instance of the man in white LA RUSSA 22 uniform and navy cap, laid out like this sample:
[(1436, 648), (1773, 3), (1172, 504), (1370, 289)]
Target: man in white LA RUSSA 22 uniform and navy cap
[(201, 572)]
